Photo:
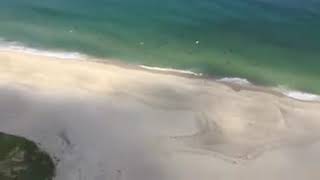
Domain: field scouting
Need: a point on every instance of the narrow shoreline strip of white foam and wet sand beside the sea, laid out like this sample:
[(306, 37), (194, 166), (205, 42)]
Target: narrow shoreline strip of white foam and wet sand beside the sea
[(234, 82)]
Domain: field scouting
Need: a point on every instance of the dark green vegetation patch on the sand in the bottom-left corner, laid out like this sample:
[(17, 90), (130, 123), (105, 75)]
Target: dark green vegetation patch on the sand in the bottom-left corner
[(21, 159)]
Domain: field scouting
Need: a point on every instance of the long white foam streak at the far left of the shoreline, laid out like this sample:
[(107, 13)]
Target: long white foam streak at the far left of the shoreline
[(18, 47)]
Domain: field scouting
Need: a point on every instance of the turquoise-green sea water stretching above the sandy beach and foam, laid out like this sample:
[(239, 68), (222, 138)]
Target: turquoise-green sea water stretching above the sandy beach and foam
[(272, 42)]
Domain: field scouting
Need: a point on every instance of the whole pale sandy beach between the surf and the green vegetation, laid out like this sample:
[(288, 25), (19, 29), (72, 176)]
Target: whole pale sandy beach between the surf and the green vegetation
[(105, 121)]
